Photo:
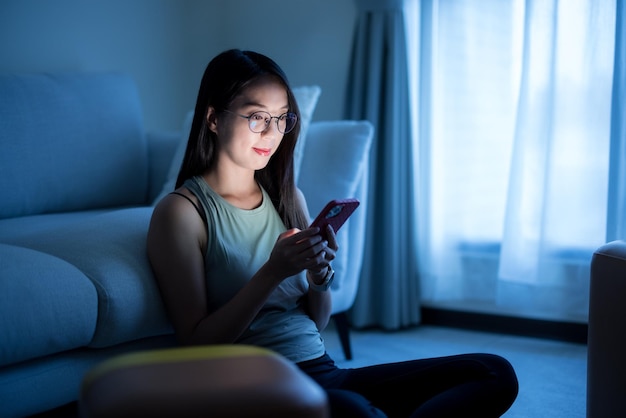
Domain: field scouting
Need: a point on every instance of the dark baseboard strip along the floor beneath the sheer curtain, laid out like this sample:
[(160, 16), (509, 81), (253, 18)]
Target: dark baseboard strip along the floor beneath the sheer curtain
[(502, 324)]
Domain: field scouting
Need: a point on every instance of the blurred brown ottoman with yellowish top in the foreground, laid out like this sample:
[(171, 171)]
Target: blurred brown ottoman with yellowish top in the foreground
[(205, 381)]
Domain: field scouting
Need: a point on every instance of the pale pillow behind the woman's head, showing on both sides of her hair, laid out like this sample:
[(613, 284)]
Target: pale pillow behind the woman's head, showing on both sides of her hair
[(306, 96)]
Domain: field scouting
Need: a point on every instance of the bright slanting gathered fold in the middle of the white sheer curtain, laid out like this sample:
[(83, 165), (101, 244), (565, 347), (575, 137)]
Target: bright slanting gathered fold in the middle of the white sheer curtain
[(533, 144)]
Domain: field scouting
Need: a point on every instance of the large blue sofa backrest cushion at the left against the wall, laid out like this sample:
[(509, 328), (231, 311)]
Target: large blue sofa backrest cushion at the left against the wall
[(70, 142)]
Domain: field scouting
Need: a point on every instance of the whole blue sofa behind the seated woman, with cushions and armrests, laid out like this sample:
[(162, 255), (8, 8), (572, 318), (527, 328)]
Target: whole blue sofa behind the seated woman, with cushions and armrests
[(79, 177)]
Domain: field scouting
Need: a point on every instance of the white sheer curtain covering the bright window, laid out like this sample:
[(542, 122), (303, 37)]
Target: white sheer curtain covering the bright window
[(512, 113)]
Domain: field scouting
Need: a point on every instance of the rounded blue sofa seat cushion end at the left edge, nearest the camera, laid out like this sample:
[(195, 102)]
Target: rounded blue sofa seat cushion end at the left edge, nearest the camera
[(46, 305)]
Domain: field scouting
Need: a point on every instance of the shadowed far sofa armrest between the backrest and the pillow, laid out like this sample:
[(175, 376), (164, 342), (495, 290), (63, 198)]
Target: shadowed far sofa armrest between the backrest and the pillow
[(161, 149)]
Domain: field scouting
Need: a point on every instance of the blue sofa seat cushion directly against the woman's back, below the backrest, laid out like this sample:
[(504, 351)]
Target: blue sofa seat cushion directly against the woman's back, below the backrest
[(110, 249)]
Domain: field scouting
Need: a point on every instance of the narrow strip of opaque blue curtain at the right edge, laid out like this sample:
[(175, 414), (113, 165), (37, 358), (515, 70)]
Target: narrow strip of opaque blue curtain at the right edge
[(616, 217)]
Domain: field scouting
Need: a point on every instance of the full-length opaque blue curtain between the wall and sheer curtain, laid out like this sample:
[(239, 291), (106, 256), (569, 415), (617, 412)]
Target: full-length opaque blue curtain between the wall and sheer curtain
[(388, 294)]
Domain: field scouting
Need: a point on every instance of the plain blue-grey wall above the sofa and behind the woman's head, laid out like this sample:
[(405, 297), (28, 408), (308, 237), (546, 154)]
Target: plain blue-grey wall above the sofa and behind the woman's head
[(165, 44)]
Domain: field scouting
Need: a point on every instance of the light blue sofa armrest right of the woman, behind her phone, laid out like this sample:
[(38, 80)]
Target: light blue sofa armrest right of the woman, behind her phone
[(335, 165)]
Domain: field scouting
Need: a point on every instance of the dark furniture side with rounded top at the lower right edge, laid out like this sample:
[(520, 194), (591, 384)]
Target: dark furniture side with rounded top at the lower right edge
[(606, 341)]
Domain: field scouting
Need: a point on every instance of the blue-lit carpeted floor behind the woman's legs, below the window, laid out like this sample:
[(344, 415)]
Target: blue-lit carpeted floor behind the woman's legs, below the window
[(552, 374)]
